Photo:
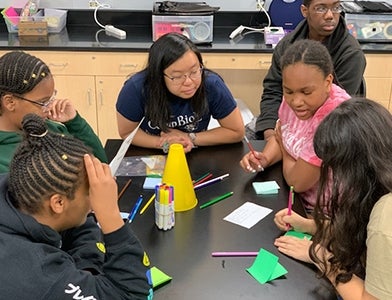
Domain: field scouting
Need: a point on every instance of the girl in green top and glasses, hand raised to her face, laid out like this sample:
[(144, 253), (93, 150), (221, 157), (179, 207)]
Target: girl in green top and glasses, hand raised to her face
[(27, 86)]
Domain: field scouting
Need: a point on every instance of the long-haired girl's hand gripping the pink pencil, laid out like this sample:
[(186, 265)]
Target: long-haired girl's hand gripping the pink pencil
[(294, 221)]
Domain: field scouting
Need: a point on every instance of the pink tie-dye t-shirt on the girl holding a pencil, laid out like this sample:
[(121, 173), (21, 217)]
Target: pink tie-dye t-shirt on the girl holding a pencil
[(297, 135)]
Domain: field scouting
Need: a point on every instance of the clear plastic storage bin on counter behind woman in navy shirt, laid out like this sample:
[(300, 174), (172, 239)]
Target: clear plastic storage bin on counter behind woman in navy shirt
[(199, 29)]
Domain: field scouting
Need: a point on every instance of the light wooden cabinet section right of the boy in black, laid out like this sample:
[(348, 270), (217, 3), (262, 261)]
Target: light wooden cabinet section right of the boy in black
[(378, 77)]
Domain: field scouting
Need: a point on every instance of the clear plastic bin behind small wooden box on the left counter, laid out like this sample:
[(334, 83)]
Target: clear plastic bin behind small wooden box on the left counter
[(55, 18)]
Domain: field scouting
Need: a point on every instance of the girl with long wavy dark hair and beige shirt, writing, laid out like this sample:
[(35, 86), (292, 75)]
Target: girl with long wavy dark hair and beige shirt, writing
[(355, 143)]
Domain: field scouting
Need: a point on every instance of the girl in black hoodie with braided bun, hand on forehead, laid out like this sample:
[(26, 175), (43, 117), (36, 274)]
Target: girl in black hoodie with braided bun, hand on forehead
[(54, 182)]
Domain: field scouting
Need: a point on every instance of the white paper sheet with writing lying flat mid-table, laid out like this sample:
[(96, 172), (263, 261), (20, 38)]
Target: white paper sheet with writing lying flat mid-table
[(248, 214)]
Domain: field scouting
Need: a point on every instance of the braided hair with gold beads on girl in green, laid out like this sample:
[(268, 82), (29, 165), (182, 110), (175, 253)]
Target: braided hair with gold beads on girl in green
[(20, 73)]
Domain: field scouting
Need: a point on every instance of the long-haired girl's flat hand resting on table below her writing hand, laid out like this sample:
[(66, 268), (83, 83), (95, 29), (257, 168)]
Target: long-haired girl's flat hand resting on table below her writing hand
[(294, 247)]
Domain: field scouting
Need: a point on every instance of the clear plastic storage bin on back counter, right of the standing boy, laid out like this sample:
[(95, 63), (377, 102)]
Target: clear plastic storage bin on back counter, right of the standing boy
[(370, 27)]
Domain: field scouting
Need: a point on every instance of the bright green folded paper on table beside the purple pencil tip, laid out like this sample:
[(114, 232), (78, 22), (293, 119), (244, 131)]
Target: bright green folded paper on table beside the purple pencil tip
[(266, 267)]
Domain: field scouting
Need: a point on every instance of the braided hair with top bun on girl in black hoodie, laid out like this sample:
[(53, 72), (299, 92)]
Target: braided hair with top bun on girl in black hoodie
[(45, 164)]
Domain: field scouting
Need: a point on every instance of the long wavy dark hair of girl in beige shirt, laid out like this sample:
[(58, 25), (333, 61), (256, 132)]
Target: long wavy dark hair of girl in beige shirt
[(355, 143)]
